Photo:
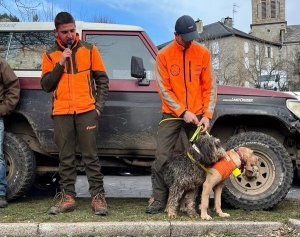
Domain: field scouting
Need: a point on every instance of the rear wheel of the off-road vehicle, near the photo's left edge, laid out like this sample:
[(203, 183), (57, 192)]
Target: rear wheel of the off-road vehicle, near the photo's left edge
[(20, 166)]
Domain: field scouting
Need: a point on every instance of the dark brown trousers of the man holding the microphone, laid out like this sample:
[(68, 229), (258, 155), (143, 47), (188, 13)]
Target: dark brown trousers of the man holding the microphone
[(84, 128)]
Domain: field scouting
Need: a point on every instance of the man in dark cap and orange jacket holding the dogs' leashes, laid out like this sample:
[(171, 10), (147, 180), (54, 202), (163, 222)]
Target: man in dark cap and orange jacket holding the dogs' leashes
[(188, 91)]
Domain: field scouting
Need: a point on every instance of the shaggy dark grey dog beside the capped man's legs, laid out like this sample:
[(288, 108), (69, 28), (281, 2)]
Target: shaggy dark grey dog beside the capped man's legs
[(182, 173)]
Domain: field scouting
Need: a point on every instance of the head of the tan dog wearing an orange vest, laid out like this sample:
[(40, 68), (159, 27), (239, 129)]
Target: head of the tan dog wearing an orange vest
[(245, 157)]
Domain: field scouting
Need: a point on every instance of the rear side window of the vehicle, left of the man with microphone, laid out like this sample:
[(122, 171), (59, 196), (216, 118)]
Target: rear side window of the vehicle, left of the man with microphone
[(23, 50)]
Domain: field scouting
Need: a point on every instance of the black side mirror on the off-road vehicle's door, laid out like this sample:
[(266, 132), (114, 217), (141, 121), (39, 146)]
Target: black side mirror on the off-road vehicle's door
[(138, 71)]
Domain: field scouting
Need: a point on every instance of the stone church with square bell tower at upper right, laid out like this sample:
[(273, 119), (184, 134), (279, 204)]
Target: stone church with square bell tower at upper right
[(269, 23)]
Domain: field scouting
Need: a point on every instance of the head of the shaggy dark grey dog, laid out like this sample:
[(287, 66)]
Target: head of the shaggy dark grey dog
[(207, 150)]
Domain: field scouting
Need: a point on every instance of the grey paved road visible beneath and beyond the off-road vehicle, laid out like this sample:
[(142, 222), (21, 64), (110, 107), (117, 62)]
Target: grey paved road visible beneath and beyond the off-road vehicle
[(136, 186)]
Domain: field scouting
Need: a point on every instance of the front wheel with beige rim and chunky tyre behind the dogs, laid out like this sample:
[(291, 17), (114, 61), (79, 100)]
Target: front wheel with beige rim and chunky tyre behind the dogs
[(275, 174)]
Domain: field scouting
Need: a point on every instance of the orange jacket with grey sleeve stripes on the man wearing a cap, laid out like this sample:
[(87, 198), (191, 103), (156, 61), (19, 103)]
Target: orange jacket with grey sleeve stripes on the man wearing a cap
[(184, 80)]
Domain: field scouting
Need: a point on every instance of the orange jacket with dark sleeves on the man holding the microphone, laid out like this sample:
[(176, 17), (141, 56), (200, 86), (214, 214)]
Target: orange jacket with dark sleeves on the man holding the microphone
[(73, 85)]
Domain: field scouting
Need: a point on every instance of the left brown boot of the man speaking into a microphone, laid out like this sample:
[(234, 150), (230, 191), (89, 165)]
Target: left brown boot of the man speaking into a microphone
[(65, 204)]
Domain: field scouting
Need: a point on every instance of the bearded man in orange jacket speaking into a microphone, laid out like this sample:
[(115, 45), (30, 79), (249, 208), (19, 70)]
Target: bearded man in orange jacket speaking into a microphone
[(70, 70)]
